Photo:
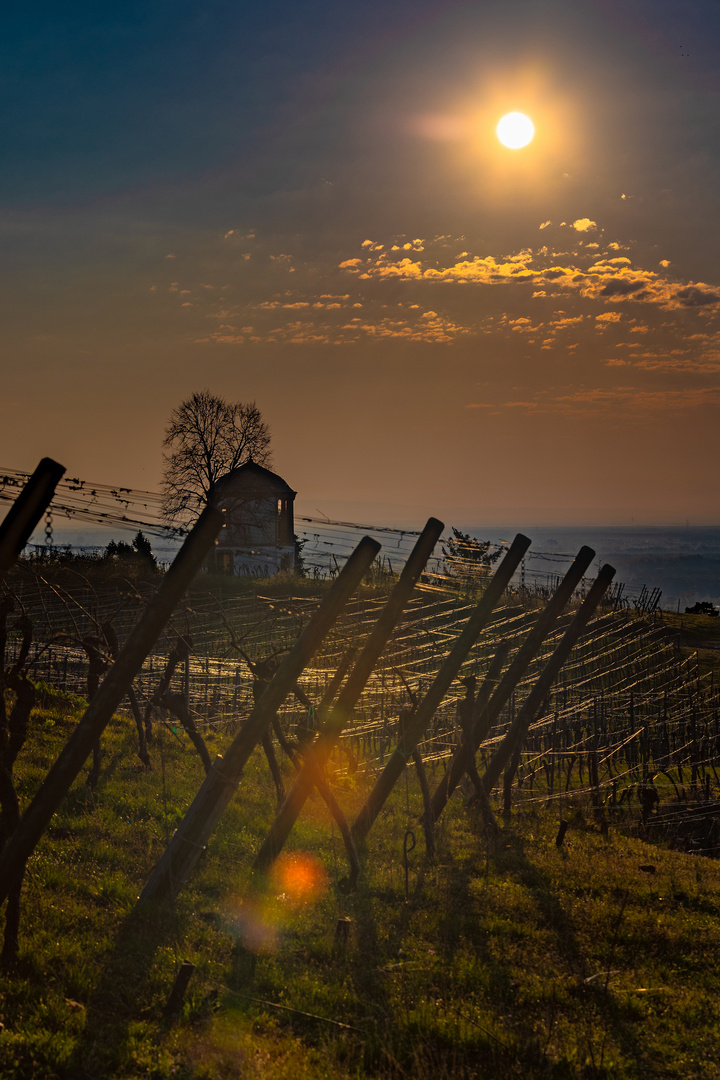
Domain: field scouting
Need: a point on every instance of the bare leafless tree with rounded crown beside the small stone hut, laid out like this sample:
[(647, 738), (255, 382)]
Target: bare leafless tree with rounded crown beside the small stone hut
[(208, 438)]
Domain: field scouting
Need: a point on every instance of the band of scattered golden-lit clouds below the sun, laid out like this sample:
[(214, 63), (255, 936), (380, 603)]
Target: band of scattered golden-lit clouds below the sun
[(533, 300)]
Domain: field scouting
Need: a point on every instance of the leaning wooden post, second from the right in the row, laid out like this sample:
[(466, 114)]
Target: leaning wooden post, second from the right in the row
[(520, 665)]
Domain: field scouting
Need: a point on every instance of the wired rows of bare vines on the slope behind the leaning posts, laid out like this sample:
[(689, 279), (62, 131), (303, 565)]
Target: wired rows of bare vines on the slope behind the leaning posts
[(629, 701)]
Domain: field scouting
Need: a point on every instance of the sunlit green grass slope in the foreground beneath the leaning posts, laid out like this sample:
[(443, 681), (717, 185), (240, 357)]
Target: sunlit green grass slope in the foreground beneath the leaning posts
[(512, 960)]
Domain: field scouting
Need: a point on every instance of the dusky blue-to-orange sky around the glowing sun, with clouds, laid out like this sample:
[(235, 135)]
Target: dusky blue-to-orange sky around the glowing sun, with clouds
[(306, 206)]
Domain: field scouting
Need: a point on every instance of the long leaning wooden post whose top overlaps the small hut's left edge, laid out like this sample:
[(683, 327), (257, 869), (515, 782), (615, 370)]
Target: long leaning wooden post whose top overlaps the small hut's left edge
[(111, 694)]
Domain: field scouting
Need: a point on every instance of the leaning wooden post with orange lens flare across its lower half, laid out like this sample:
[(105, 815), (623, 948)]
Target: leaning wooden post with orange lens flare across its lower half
[(318, 754)]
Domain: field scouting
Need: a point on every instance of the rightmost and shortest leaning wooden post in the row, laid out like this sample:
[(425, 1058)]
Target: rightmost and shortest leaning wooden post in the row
[(515, 737)]
